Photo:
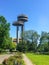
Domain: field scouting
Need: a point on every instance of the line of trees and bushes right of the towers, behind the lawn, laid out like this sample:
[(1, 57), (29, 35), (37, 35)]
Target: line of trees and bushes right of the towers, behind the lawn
[(34, 42)]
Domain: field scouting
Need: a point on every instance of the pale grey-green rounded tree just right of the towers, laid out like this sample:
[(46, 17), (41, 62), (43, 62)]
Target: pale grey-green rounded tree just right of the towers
[(31, 36)]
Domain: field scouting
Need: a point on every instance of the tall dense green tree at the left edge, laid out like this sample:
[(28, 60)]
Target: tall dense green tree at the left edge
[(4, 32)]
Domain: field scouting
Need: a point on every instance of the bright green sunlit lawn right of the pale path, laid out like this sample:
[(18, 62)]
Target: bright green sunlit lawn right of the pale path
[(38, 59)]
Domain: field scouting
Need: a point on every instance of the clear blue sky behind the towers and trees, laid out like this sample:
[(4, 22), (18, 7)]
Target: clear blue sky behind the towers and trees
[(36, 10)]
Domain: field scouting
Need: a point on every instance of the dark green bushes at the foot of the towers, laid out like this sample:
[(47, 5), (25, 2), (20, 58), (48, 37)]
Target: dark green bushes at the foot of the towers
[(26, 46)]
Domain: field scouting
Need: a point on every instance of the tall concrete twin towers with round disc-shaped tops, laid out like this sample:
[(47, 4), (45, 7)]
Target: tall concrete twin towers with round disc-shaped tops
[(20, 22)]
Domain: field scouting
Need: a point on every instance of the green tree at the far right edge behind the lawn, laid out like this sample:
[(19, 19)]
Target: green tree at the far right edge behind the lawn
[(44, 42)]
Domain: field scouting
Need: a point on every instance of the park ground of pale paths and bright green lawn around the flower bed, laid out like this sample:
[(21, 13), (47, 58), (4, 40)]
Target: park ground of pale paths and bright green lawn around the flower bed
[(30, 59)]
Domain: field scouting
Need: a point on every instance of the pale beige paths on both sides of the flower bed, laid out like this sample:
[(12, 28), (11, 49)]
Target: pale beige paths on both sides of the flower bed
[(25, 59)]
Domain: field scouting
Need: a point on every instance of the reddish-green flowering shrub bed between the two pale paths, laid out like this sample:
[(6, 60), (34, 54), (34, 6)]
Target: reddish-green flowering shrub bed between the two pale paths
[(14, 60)]
